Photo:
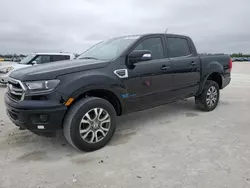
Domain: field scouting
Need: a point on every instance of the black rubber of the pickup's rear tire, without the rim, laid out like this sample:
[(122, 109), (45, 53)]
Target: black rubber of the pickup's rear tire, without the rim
[(201, 100)]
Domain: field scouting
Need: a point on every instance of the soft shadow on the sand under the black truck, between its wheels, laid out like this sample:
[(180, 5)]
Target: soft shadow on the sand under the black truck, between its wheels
[(129, 125)]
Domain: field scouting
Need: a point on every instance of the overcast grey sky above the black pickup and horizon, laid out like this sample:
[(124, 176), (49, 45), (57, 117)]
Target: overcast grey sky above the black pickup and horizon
[(216, 26)]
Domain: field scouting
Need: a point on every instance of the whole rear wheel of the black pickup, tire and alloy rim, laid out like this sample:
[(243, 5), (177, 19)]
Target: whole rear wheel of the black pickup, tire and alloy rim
[(209, 98)]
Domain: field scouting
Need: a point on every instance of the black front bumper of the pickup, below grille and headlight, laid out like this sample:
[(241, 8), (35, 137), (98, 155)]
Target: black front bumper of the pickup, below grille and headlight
[(44, 118)]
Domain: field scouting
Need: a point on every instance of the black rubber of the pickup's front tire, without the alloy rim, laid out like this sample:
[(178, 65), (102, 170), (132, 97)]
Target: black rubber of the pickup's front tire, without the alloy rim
[(72, 122)]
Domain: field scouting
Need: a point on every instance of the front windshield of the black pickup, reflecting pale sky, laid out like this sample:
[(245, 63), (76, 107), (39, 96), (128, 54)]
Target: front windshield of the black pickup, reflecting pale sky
[(108, 49)]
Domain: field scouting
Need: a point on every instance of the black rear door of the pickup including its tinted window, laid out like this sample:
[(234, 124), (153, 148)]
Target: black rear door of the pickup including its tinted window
[(185, 67)]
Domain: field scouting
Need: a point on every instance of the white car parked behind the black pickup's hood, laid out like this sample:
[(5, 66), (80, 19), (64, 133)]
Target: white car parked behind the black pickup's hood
[(32, 59)]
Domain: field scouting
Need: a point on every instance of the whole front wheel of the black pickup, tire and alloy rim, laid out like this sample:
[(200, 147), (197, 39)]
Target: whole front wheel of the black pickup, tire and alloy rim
[(90, 124)]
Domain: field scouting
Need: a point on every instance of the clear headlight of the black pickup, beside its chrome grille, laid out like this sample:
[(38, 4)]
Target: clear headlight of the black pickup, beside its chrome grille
[(41, 86)]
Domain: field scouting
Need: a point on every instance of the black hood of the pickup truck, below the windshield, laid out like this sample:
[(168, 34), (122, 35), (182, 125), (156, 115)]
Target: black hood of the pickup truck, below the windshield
[(54, 69)]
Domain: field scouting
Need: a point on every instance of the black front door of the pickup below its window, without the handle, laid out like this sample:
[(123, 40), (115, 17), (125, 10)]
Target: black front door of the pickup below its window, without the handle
[(147, 84)]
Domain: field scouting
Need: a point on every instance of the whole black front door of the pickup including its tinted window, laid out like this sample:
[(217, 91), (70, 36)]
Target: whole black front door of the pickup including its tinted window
[(148, 82)]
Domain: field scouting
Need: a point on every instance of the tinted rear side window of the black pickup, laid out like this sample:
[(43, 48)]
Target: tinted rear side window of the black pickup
[(177, 47)]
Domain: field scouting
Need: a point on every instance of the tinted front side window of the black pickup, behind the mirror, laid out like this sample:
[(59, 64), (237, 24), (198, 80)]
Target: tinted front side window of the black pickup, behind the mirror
[(154, 45)]
